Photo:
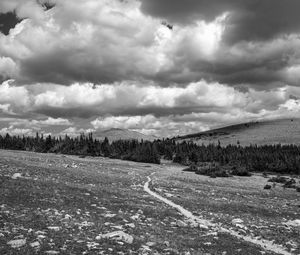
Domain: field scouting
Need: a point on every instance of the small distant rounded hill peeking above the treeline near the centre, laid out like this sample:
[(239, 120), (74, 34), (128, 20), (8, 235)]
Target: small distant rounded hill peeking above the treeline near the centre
[(122, 134)]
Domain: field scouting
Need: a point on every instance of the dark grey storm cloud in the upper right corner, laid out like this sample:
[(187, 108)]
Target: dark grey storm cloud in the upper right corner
[(248, 20)]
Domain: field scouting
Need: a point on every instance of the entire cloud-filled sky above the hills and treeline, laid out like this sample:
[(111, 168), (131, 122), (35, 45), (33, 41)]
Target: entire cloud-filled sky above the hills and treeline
[(160, 67)]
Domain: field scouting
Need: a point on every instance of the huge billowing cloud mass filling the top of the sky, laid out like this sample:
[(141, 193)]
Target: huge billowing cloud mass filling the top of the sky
[(116, 41)]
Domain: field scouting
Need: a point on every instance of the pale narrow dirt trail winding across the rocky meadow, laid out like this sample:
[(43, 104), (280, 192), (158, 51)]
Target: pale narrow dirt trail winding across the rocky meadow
[(202, 223)]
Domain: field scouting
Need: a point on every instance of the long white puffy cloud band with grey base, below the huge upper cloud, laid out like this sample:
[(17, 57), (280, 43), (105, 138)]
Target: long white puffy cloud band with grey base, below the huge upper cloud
[(80, 100)]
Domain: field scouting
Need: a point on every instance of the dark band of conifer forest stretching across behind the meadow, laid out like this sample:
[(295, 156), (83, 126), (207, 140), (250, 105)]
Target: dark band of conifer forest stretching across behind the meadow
[(266, 158)]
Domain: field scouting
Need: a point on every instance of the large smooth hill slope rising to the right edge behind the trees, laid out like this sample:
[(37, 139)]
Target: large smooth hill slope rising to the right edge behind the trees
[(284, 131)]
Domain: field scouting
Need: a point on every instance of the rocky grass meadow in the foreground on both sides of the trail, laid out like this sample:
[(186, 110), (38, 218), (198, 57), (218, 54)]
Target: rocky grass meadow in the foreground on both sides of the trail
[(55, 204)]
